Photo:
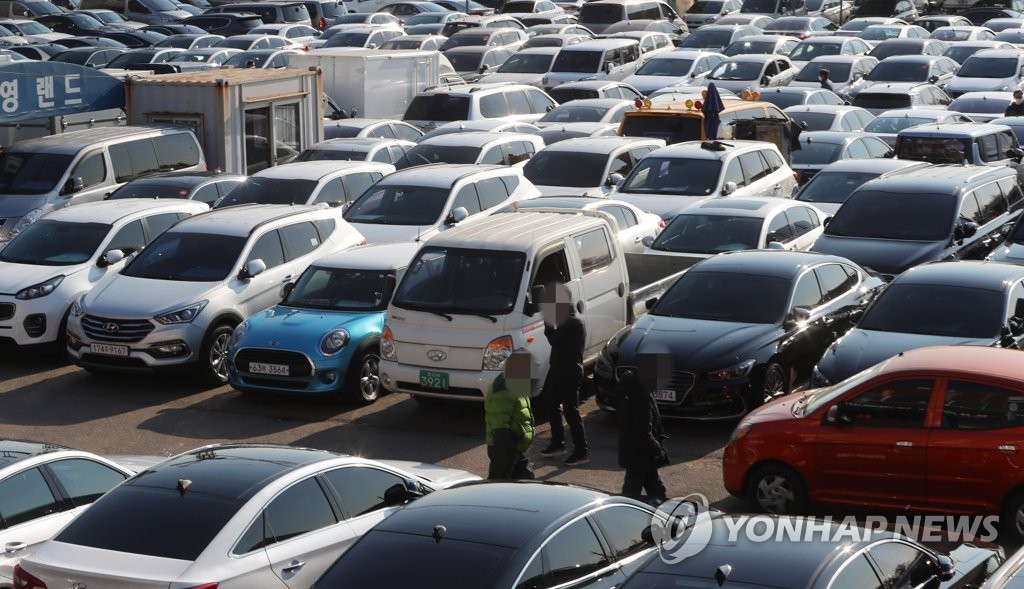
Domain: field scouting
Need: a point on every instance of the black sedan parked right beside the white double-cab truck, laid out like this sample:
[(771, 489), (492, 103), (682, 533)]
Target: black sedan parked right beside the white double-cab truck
[(741, 328)]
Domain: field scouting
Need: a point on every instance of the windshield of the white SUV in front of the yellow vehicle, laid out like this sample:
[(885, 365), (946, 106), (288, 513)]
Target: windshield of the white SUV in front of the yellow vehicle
[(673, 177)]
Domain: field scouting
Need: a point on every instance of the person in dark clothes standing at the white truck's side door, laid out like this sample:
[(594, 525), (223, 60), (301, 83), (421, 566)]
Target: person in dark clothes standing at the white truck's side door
[(568, 335)]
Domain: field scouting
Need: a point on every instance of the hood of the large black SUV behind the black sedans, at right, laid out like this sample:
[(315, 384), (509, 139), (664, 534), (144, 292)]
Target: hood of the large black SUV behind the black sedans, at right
[(886, 257)]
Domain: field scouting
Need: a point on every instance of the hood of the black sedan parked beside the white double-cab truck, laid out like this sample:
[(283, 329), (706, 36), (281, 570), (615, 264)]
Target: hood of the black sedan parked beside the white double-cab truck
[(700, 346)]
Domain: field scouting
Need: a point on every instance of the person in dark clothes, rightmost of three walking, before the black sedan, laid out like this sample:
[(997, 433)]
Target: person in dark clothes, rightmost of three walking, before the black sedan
[(641, 432)]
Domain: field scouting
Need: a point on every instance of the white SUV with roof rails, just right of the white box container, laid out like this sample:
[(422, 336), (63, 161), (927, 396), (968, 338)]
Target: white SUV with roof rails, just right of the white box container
[(475, 102)]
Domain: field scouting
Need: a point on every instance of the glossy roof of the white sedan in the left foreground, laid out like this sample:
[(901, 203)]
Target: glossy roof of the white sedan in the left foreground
[(236, 472)]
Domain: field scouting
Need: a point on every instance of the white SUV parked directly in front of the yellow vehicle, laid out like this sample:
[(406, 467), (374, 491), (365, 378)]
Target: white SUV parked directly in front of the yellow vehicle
[(676, 178)]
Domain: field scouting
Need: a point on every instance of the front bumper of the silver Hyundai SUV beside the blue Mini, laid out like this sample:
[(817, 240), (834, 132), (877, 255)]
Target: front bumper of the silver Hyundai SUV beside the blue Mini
[(164, 349)]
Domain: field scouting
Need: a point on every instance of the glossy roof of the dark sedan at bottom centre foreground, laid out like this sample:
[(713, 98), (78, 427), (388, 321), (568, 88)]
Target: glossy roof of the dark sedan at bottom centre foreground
[(500, 514)]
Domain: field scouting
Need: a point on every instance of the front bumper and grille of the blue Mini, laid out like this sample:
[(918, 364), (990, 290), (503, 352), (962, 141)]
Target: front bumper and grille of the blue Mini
[(308, 373)]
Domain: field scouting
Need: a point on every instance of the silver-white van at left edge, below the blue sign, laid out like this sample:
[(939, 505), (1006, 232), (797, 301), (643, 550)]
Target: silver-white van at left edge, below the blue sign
[(48, 174)]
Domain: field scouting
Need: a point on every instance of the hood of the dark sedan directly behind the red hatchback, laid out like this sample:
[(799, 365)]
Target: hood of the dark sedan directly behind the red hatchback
[(863, 349)]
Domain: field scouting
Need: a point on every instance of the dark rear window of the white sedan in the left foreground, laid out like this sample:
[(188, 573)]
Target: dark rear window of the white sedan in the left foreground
[(124, 521)]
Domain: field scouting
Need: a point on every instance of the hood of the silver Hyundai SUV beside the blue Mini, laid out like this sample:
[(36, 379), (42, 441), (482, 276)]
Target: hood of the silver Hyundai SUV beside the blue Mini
[(130, 298)]
